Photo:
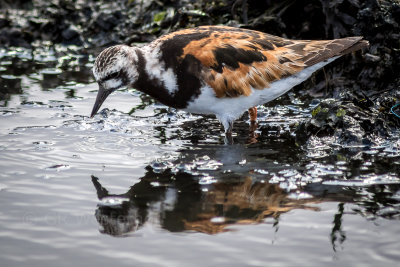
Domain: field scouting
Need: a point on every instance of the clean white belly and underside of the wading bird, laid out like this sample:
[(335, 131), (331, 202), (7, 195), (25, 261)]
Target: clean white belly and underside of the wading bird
[(229, 109)]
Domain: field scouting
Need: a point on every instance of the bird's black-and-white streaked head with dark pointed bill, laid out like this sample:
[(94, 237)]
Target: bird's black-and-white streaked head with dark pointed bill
[(115, 67)]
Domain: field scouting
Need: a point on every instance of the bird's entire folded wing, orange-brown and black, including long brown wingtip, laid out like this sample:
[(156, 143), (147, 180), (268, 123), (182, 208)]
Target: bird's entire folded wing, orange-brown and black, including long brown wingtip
[(236, 60)]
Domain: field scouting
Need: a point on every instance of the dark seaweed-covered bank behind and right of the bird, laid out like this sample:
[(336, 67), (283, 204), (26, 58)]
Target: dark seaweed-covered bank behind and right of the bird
[(364, 86)]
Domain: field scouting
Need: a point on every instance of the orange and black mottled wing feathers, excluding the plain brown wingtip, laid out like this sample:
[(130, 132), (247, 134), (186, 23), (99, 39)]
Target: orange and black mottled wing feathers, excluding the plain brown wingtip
[(237, 60)]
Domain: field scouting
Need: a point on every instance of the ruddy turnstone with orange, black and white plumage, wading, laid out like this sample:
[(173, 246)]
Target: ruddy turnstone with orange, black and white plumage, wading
[(216, 69)]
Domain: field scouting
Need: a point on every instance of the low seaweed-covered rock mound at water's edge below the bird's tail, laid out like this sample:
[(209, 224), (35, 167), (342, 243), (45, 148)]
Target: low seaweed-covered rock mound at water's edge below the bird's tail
[(350, 123)]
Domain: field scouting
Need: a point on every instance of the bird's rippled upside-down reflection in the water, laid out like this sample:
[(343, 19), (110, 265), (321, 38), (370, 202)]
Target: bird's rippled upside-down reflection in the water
[(179, 203)]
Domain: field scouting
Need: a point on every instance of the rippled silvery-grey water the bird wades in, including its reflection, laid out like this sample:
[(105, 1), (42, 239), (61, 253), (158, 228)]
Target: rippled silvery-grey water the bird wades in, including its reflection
[(141, 185)]
